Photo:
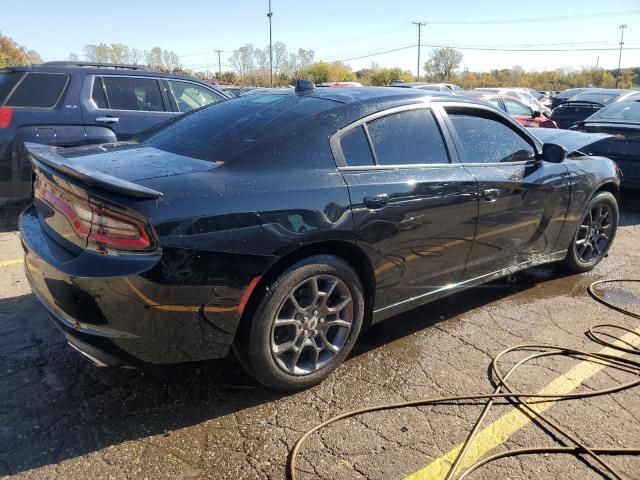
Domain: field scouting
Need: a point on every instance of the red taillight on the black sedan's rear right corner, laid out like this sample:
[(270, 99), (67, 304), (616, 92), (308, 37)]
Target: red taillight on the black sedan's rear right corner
[(96, 224)]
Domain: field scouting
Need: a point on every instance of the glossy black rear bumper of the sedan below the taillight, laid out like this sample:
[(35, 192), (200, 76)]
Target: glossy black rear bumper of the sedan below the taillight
[(127, 310)]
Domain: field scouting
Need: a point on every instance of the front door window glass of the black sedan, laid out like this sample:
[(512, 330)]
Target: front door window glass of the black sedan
[(483, 139)]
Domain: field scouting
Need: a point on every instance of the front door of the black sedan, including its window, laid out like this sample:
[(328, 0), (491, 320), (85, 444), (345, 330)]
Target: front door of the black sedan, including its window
[(523, 200)]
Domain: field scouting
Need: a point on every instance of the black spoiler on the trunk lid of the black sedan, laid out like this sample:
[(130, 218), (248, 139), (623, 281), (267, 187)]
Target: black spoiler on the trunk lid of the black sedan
[(50, 156)]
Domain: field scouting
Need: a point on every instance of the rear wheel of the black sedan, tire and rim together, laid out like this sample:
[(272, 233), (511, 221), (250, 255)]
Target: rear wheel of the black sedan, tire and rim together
[(305, 324)]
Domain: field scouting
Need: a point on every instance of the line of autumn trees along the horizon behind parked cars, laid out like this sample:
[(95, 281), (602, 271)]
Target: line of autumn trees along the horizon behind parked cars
[(249, 65)]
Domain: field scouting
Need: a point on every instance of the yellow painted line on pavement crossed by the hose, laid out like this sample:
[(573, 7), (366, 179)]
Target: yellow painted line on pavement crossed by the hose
[(501, 429)]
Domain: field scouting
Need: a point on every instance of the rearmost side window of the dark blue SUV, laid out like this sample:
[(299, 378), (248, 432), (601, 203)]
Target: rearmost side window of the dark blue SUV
[(41, 90)]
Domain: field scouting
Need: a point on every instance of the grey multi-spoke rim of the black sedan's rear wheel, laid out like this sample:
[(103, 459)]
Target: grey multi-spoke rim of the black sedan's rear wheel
[(312, 324)]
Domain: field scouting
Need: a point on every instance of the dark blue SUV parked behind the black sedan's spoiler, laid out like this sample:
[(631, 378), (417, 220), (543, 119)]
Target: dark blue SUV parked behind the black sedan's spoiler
[(71, 103)]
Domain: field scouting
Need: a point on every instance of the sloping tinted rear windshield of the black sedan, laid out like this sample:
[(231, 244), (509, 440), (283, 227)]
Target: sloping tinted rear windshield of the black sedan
[(221, 132)]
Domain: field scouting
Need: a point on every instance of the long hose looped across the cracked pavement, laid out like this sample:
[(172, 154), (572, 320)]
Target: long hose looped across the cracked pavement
[(525, 401)]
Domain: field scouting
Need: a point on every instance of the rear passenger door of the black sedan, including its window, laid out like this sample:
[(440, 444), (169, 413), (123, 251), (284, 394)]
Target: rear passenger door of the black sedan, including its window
[(414, 211)]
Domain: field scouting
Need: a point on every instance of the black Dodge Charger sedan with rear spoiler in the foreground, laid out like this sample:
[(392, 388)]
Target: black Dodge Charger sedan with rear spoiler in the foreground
[(282, 223)]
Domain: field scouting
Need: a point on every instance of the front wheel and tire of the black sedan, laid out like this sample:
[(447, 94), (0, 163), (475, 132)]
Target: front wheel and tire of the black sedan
[(595, 233)]
